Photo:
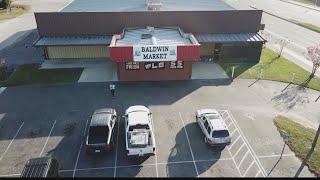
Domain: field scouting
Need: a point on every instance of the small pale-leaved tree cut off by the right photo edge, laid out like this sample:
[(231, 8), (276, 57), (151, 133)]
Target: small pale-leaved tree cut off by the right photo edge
[(313, 54)]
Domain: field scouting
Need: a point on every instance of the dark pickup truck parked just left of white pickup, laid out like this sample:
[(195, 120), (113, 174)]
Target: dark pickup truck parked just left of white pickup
[(100, 136)]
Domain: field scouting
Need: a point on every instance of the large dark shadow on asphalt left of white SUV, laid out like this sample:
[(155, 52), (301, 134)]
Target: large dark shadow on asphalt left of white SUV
[(205, 156)]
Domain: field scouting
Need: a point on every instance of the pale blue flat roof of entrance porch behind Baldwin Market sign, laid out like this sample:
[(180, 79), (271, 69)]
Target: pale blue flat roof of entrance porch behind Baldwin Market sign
[(162, 36)]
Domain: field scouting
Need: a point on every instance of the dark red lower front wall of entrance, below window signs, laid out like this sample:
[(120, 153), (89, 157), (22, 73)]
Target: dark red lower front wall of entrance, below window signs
[(156, 74)]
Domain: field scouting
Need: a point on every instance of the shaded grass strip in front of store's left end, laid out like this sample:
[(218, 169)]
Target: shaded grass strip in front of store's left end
[(31, 74)]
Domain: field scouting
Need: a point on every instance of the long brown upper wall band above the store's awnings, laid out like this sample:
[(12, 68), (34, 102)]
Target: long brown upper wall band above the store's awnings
[(109, 23)]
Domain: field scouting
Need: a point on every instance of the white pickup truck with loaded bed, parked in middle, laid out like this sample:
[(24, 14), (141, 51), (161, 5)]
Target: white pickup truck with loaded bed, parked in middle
[(140, 139)]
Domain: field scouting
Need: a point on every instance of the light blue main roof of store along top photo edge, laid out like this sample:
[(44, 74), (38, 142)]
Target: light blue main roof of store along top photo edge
[(140, 5)]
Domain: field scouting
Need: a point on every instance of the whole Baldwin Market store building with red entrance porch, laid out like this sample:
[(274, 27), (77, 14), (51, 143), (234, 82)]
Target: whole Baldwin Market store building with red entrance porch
[(151, 39)]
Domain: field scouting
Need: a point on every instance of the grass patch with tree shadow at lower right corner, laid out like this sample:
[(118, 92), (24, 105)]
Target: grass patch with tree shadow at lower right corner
[(301, 140)]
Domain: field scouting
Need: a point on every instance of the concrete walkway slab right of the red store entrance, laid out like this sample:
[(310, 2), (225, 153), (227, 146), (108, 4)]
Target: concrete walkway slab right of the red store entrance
[(208, 70)]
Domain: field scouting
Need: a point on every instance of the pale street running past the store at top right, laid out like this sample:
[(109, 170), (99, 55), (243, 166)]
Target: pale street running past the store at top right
[(276, 28)]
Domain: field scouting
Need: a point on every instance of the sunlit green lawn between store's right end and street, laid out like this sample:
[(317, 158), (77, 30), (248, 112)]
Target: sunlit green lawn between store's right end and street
[(272, 68)]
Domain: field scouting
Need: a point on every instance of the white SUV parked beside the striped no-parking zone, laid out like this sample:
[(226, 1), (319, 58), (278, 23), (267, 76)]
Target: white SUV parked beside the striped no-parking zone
[(213, 127)]
